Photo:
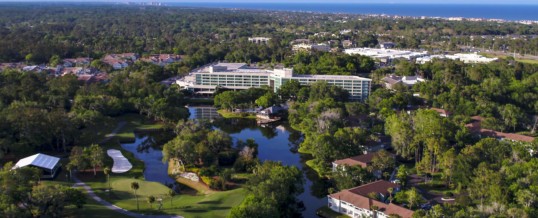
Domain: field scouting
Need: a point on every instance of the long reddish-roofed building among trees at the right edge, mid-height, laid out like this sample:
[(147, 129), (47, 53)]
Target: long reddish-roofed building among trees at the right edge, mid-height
[(475, 127)]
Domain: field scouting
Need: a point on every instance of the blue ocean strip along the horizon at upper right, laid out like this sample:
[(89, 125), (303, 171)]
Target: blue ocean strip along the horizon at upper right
[(505, 12)]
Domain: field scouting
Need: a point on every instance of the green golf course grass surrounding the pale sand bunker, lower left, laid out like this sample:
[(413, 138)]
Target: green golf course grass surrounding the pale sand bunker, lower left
[(210, 204)]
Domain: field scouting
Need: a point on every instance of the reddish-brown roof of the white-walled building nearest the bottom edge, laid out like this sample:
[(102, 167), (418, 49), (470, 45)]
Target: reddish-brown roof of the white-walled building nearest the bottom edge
[(358, 196)]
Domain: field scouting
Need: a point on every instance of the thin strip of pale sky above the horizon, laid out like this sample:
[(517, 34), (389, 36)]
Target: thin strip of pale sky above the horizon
[(525, 2)]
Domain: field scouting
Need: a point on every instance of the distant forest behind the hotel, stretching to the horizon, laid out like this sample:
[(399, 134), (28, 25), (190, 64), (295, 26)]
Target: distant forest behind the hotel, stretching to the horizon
[(36, 33)]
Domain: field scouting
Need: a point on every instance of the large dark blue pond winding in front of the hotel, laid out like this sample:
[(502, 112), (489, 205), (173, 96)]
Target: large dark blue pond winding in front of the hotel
[(277, 142)]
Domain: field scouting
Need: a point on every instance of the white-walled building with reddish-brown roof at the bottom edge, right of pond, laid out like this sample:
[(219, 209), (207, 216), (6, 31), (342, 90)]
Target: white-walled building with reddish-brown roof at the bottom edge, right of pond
[(356, 202)]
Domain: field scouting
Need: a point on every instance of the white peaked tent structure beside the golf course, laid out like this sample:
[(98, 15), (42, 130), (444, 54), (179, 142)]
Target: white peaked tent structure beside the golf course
[(49, 164)]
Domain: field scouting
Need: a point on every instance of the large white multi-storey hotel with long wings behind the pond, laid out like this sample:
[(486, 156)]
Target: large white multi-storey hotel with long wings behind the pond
[(237, 76)]
